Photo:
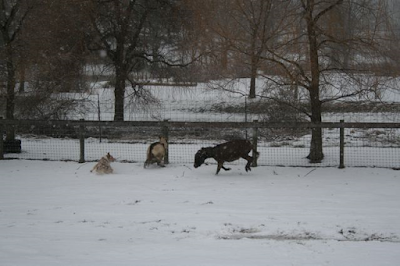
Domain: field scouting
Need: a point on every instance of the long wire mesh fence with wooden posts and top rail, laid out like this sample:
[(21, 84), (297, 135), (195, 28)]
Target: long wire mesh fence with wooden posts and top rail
[(279, 144)]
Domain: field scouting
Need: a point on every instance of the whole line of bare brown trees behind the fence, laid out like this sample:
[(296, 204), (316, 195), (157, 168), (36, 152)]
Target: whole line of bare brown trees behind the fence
[(294, 44)]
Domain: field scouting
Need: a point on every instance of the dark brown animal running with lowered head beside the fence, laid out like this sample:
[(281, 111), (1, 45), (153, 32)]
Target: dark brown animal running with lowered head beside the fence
[(226, 152)]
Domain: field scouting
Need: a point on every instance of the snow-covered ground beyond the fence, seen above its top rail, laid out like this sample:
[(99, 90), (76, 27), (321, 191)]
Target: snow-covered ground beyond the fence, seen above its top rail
[(198, 103)]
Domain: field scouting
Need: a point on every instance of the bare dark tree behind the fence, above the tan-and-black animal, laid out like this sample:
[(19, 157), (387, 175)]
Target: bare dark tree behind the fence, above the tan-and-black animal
[(125, 31)]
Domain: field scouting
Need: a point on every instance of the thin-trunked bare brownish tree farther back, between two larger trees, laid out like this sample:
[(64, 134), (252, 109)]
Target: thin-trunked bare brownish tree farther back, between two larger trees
[(244, 29)]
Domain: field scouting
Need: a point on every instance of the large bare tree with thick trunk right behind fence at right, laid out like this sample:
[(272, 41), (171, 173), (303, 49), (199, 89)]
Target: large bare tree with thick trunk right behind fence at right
[(319, 48)]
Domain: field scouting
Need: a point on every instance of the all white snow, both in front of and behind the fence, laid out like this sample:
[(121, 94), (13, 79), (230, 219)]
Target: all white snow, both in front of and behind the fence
[(58, 213)]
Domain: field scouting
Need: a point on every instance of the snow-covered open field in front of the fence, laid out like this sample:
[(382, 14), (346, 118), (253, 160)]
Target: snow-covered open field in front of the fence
[(58, 213)]
